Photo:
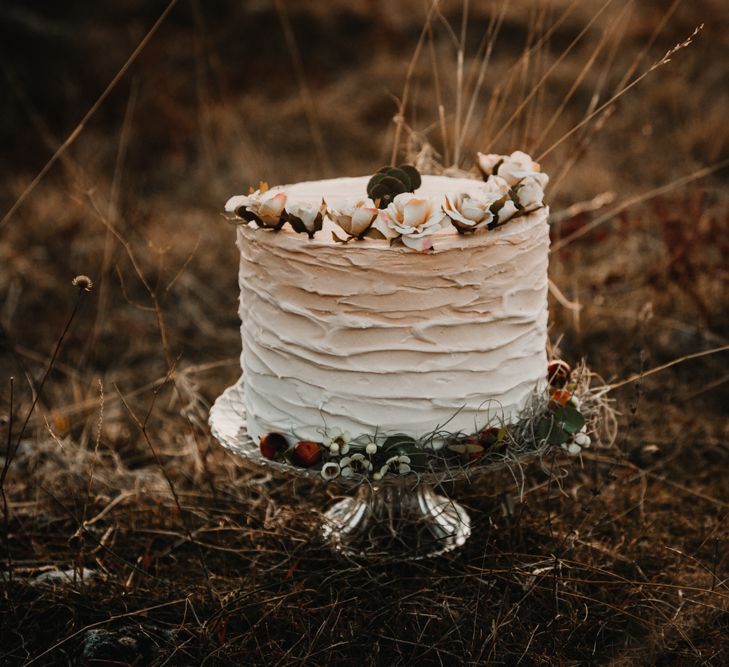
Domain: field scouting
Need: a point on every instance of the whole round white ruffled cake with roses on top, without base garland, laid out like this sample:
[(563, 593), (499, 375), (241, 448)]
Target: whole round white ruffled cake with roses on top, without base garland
[(393, 303)]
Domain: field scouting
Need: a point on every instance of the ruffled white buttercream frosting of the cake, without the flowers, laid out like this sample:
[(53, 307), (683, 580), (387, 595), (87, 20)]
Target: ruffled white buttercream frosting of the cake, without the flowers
[(372, 338)]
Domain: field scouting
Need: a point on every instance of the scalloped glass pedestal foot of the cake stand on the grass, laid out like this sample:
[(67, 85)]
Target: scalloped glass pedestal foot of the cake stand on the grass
[(396, 521)]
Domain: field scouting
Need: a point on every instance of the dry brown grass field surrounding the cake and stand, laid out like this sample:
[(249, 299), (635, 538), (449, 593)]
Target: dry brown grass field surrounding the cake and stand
[(625, 563)]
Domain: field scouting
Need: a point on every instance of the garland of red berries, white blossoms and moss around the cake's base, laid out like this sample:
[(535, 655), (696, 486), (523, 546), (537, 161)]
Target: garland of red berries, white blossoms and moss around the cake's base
[(571, 415)]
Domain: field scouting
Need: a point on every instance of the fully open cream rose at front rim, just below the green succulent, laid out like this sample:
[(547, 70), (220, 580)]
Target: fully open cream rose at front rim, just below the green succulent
[(414, 219)]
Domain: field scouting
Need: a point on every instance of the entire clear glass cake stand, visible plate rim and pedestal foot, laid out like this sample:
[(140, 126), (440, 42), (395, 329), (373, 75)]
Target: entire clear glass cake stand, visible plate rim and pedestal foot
[(396, 518)]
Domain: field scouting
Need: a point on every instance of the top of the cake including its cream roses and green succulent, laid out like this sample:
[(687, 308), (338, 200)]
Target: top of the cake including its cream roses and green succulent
[(397, 204)]
